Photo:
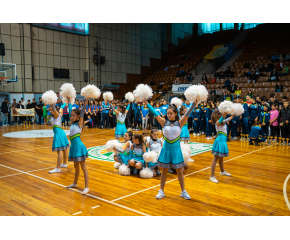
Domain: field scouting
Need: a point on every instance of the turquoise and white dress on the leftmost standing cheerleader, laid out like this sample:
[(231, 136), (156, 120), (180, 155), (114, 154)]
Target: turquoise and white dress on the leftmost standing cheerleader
[(60, 141)]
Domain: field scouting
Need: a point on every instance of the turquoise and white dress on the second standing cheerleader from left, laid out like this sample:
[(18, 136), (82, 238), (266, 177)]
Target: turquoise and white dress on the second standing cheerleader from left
[(77, 152)]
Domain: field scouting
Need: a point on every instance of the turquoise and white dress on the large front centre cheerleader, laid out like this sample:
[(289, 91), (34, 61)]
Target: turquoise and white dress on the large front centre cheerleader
[(171, 154)]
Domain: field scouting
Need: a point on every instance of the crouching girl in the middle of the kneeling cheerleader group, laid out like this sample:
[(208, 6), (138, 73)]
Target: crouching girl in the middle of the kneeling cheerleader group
[(138, 148)]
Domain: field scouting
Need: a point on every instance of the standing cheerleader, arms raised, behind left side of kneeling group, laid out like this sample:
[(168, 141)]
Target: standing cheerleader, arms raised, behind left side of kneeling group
[(121, 113)]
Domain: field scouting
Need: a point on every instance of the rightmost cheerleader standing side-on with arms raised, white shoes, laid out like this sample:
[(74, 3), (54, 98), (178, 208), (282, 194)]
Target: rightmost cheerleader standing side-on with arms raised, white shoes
[(220, 147)]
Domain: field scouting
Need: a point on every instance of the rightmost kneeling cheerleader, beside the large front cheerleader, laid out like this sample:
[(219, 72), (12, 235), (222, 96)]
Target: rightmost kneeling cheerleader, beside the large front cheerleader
[(154, 144)]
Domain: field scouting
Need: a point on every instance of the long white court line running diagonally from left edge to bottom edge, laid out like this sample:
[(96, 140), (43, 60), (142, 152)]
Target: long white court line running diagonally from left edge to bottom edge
[(73, 189)]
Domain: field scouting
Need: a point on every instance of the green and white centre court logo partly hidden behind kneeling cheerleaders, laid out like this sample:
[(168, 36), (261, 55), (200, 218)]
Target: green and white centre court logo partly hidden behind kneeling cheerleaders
[(100, 152)]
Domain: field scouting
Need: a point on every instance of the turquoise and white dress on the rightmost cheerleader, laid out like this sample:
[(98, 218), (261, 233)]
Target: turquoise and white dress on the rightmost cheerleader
[(220, 146)]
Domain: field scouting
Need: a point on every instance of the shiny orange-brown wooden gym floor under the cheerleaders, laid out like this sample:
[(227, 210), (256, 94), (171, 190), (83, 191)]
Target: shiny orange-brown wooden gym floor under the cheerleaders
[(258, 186)]
